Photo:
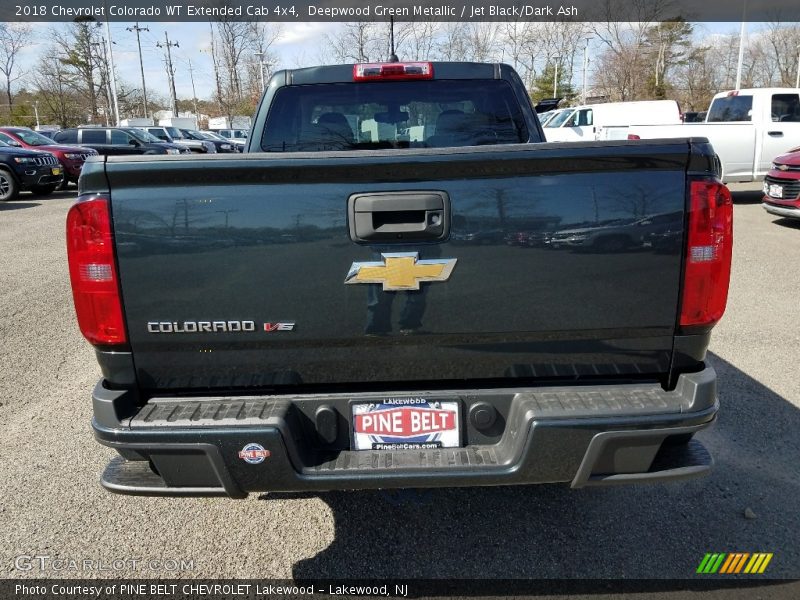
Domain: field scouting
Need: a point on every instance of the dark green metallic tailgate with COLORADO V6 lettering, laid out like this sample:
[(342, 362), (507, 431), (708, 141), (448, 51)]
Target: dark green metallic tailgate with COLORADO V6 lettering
[(564, 261)]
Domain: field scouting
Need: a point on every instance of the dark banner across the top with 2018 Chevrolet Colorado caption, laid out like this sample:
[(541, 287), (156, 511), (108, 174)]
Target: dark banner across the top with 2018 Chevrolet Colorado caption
[(786, 11)]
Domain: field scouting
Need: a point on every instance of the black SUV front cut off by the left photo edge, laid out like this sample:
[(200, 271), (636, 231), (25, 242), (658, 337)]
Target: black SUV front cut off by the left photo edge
[(27, 170)]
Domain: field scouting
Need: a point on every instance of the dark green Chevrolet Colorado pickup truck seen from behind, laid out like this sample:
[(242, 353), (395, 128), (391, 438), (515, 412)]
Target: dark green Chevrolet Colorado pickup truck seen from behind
[(327, 319)]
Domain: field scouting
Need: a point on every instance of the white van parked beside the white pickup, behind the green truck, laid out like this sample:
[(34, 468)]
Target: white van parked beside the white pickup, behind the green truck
[(610, 121)]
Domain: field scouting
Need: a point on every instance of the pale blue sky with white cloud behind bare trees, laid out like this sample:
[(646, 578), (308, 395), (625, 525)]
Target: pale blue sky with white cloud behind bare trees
[(300, 45)]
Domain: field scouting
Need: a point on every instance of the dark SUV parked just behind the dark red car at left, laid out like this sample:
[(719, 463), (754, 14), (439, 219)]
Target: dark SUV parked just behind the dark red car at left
[(118, 140)]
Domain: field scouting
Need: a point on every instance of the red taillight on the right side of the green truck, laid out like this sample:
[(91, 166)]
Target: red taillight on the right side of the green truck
[(708, 254)]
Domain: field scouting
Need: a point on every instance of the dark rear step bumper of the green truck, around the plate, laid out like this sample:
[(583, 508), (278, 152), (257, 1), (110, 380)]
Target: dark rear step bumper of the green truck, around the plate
[(587, 435)]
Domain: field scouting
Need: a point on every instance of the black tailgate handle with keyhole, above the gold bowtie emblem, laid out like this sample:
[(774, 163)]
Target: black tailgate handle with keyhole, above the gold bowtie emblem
[(399, 217)]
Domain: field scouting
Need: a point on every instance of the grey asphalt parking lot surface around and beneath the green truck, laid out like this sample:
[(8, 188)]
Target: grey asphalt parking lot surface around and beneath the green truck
[(51, 502)]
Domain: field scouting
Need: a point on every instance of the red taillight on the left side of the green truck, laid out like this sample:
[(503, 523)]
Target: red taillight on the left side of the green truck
[(95, 287)]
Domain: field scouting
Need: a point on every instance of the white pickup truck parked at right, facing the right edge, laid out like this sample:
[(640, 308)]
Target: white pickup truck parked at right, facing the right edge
[(747, 128)]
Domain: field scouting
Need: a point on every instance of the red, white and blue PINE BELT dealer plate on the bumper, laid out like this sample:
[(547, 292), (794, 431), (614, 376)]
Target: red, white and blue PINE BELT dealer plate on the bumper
[(406, 424)]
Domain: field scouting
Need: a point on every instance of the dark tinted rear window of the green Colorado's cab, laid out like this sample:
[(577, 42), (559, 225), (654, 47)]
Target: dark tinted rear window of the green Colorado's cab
[(369, 116)]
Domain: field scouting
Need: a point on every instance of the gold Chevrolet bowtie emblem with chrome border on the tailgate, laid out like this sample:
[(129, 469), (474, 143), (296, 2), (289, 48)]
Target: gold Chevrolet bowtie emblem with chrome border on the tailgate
[(401, 271)]
